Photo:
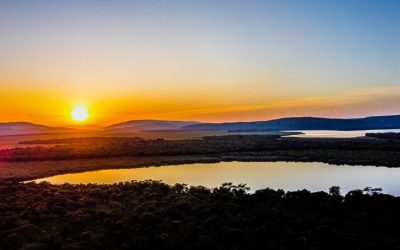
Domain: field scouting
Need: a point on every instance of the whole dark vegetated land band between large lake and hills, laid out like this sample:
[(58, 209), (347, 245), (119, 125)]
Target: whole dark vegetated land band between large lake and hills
[(94, 153)]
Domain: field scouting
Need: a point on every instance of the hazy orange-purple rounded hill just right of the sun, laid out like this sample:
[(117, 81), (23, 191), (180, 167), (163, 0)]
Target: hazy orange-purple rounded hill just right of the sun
[(149, 125)]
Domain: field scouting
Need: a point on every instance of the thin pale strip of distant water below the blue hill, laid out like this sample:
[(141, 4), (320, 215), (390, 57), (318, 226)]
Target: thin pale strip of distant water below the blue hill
[(338, 134)]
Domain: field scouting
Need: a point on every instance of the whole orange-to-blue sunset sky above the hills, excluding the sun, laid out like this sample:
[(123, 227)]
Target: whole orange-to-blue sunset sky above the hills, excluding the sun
[(203, 60)]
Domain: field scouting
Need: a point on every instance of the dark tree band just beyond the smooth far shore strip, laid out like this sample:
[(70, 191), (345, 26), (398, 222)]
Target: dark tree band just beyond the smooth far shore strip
[(388, 152)]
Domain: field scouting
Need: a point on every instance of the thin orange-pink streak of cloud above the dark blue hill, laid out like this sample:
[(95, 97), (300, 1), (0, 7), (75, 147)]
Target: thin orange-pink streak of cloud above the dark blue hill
[(324, 105)]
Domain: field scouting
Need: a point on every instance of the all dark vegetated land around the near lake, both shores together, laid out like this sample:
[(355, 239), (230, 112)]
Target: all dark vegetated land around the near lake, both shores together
[(153, 215)]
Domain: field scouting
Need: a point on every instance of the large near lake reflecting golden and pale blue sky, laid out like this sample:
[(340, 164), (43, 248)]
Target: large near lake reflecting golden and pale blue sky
[(257, 175)]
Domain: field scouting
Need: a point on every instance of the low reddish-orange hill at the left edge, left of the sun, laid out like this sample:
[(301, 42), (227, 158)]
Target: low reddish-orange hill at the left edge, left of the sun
[(21, 128)]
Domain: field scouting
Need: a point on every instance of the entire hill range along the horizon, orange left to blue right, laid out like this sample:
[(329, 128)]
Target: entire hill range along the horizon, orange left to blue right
[(282, 124)]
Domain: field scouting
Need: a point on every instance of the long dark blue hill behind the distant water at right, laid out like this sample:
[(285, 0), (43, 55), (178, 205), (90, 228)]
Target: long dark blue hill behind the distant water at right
[(303, 123)]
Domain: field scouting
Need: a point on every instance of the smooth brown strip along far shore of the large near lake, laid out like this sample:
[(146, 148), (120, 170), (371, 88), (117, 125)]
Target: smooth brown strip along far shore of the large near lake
[(27, 171)]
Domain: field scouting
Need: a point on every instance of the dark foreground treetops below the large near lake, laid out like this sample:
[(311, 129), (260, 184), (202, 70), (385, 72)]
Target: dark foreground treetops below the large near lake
[(153, 215)]
